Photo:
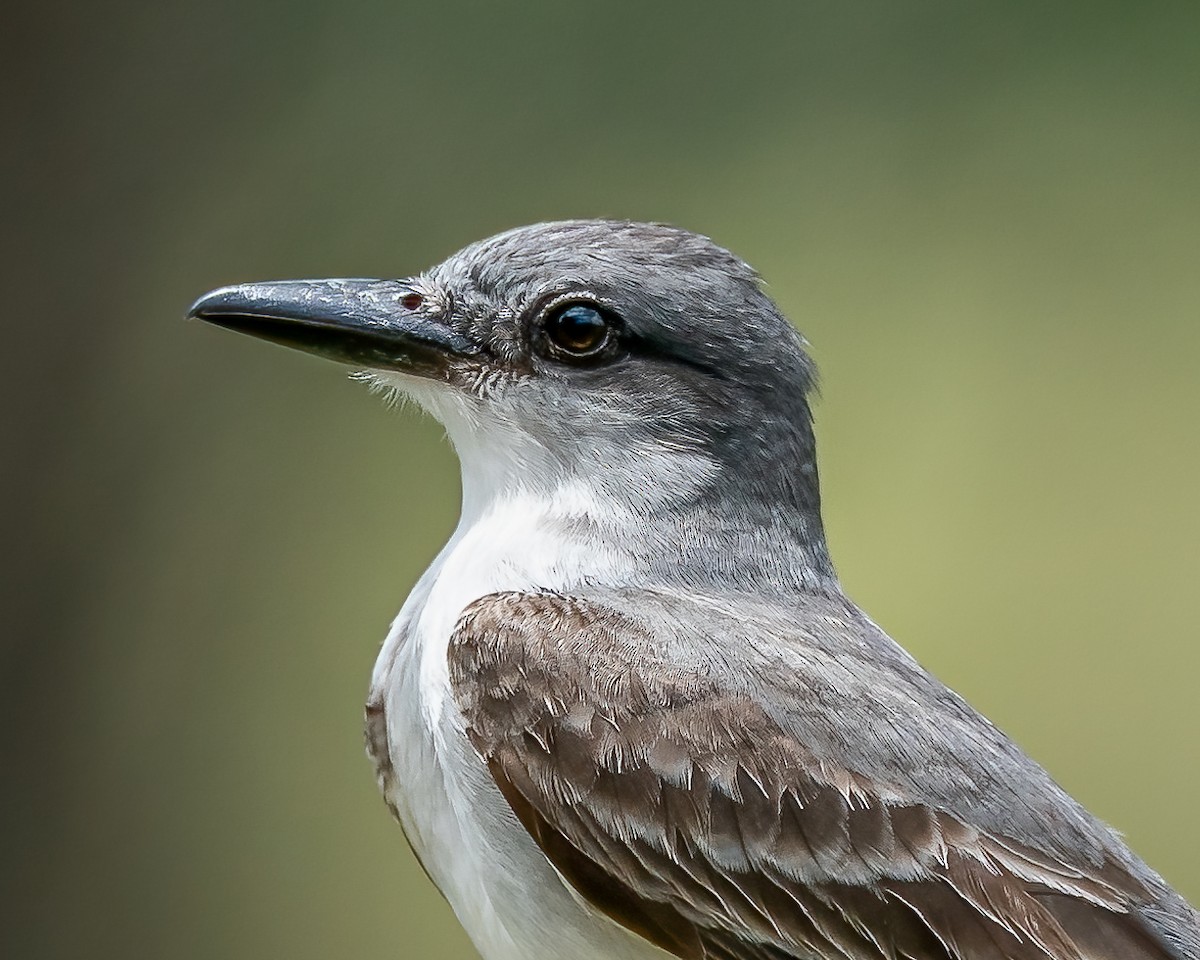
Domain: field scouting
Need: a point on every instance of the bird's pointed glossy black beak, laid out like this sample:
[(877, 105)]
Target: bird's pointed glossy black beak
[(361, 322)]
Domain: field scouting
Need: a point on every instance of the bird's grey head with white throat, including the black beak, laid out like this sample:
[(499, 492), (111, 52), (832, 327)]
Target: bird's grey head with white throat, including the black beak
[(629, 361)]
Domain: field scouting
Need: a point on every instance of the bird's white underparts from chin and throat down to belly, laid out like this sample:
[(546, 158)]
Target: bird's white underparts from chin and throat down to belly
[(511, 537)]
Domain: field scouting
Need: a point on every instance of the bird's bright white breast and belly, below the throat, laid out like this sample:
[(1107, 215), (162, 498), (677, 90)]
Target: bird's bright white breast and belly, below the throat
[(507, 896)]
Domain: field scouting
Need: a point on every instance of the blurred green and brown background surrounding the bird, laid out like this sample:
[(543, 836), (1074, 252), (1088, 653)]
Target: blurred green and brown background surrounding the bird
[(985, 217)]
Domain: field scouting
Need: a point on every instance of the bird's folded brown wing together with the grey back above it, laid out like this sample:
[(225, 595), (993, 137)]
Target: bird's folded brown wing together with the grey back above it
[(686, 785)]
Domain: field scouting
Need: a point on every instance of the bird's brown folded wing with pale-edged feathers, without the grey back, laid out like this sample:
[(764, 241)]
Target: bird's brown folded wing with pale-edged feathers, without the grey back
[(688, 815)]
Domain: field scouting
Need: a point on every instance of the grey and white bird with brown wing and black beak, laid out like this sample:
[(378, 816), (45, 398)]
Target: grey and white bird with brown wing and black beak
[(629, 712)]
